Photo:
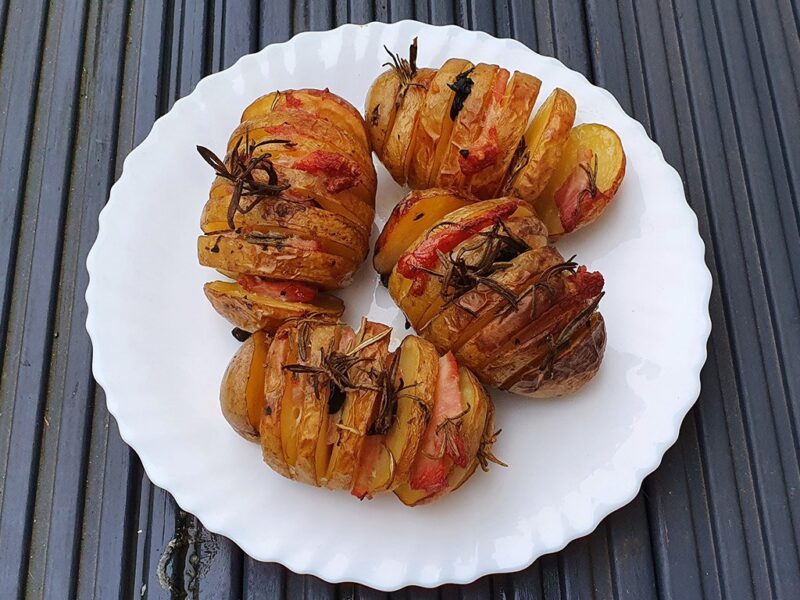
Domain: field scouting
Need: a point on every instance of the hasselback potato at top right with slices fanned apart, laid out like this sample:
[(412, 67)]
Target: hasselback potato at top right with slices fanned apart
[(465, 127)]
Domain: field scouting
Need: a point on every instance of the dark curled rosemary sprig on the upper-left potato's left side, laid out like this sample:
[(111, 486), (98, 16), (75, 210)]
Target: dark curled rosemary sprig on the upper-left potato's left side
[(240, 170)]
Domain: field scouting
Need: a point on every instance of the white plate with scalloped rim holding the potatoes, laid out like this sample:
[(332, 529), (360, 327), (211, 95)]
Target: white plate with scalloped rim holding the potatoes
[(160, 350)]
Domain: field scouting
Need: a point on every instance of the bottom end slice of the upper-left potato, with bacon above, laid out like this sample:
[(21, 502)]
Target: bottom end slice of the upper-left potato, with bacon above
[(253, 312)]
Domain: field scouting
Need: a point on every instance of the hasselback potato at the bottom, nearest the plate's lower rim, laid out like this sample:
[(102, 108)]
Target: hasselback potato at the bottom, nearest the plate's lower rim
[(335, 408)]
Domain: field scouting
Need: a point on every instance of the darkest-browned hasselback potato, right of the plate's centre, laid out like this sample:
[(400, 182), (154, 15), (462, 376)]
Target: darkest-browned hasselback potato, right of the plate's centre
[(479, 279)]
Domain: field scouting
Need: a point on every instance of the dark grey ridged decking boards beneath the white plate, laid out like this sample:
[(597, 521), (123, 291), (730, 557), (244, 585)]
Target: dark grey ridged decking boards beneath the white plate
[(714, 82)]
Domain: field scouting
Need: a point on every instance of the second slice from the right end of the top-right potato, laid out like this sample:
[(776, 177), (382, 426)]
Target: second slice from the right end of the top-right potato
[(543, 144)]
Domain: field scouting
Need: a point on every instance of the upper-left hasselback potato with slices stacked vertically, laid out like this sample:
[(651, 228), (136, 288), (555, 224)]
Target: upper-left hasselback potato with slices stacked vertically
[(290, 212)]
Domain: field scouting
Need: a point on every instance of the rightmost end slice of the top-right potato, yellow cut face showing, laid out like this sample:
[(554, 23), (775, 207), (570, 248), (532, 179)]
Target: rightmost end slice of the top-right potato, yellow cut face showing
[(584, 181)]
